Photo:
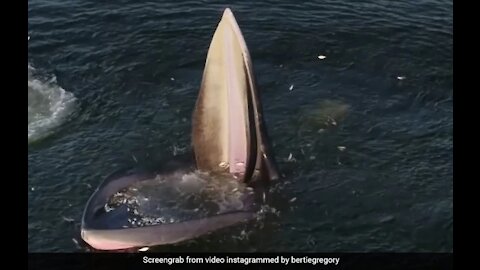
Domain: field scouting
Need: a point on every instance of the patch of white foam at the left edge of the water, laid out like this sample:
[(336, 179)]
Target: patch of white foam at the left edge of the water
[(48, 106)]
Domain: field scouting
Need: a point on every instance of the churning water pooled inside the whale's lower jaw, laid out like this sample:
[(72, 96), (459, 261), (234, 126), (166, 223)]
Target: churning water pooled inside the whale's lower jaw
[(180, 197)]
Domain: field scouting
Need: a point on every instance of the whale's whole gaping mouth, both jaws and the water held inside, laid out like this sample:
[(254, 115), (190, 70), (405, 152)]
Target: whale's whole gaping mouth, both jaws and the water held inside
[(229, 142)]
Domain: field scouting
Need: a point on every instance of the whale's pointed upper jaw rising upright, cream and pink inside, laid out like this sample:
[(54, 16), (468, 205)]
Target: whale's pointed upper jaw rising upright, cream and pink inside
[(228, 133)]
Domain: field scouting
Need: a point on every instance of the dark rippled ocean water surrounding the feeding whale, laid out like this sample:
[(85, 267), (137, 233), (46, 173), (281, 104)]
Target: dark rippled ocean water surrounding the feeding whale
[(357, 97)]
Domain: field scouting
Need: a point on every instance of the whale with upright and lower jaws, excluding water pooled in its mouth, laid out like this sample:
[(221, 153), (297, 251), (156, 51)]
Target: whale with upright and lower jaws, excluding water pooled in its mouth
[(228, 137)]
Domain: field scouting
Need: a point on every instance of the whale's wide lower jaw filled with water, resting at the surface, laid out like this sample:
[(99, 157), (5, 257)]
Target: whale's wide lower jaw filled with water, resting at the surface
[(140, 210)]
